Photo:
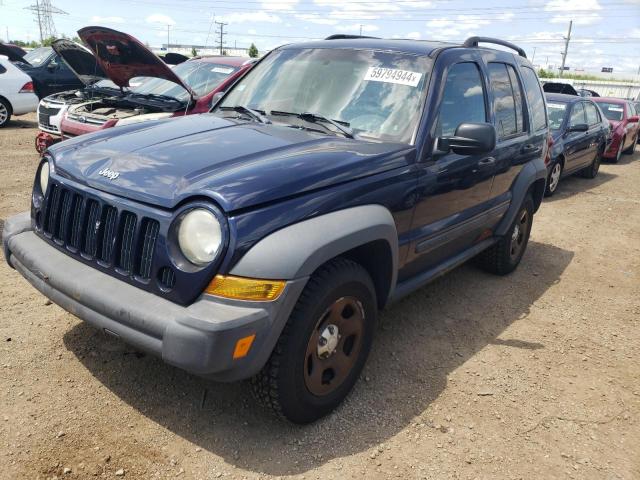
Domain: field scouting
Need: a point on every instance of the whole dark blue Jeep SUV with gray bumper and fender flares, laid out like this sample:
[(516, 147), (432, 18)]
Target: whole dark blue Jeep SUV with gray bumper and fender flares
[(261, 239)]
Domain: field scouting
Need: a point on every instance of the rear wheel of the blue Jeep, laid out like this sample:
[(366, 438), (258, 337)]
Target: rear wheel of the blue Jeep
[(500, 258)]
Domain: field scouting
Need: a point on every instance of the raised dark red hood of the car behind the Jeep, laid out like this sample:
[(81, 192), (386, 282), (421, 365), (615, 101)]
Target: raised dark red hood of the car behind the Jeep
[(122, 57)]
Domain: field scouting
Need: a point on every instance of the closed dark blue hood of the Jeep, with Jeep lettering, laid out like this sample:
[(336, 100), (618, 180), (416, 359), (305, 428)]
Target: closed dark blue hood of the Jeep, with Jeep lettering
[(236, 164)]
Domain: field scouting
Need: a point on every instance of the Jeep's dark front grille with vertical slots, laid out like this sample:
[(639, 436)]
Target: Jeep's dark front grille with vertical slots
[(100, 232)]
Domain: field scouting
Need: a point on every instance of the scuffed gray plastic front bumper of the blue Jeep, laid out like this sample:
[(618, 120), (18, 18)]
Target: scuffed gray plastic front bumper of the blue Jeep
[(199, 338)]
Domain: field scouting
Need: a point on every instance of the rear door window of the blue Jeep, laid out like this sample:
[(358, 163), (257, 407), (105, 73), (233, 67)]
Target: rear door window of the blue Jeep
[(507, 101)]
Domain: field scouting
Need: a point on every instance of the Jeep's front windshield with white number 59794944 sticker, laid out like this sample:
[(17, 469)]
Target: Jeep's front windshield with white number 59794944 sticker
[(377, 94)]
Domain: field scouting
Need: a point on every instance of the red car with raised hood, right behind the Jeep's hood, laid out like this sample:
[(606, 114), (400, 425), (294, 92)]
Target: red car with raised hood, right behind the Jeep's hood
[(166, 92)]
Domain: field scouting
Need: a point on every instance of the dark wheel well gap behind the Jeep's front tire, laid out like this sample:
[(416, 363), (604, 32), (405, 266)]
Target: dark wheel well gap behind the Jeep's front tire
[(377, 260)]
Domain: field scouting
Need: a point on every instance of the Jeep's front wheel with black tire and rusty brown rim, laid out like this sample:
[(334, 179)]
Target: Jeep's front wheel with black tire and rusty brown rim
[(285, 383)]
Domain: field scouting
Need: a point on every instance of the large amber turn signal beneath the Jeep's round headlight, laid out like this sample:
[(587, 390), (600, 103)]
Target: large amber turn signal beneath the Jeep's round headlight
[(242, 288)]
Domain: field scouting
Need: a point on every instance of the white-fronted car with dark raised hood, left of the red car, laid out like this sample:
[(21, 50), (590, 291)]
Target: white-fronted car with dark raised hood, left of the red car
[(97, 85)]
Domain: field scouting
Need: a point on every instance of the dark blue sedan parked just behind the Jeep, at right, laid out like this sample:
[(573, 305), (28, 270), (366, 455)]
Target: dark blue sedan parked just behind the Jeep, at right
[(580, 135)]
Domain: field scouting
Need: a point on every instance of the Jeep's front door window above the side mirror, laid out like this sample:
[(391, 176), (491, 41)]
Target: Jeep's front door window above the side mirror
[(462, 100)]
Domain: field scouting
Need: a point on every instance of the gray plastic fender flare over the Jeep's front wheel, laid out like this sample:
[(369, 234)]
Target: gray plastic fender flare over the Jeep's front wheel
[(298, 250)]
